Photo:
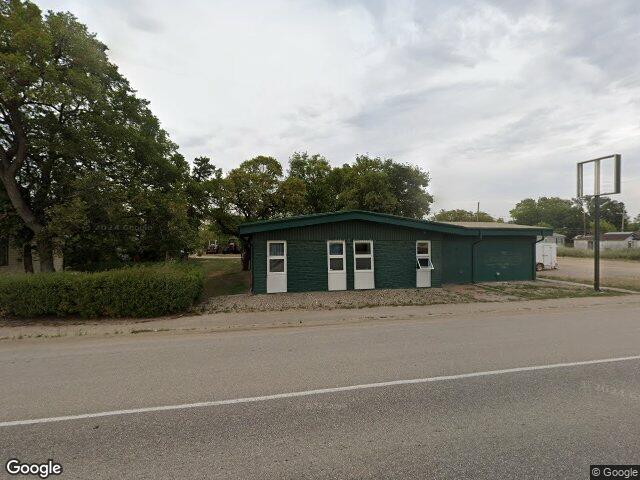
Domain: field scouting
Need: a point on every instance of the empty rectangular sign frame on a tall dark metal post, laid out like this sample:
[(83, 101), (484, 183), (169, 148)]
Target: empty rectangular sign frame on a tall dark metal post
[(612, 188)]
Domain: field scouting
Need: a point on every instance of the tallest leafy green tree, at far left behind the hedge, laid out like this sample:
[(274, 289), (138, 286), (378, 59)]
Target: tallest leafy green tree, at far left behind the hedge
[(67, 119)]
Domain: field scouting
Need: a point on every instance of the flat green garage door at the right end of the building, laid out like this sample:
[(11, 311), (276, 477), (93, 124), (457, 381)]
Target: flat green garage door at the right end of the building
[(504, 259)]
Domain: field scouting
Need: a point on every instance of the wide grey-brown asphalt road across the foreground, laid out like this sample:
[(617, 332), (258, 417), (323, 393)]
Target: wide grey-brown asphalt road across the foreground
[(548, 423)]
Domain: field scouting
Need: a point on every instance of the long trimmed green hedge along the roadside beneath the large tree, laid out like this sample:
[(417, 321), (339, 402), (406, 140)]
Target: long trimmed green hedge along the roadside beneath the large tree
[(138, 291)]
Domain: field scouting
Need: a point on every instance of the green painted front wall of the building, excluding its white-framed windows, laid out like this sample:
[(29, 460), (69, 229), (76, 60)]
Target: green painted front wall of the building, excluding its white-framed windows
[(495, 258)]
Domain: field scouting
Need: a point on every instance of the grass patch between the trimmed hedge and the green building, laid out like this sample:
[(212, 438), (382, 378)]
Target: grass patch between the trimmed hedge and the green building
[(223, 276)]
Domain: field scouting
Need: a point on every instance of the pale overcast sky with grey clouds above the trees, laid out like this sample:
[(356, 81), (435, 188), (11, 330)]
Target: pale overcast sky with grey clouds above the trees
[(497, 99)]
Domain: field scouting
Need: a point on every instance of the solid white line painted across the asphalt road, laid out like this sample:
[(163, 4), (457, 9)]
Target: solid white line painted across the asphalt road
[(319, 391)]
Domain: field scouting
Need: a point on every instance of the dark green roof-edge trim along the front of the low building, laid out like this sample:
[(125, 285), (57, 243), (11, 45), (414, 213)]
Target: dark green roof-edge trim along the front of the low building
[(500, 229)]
